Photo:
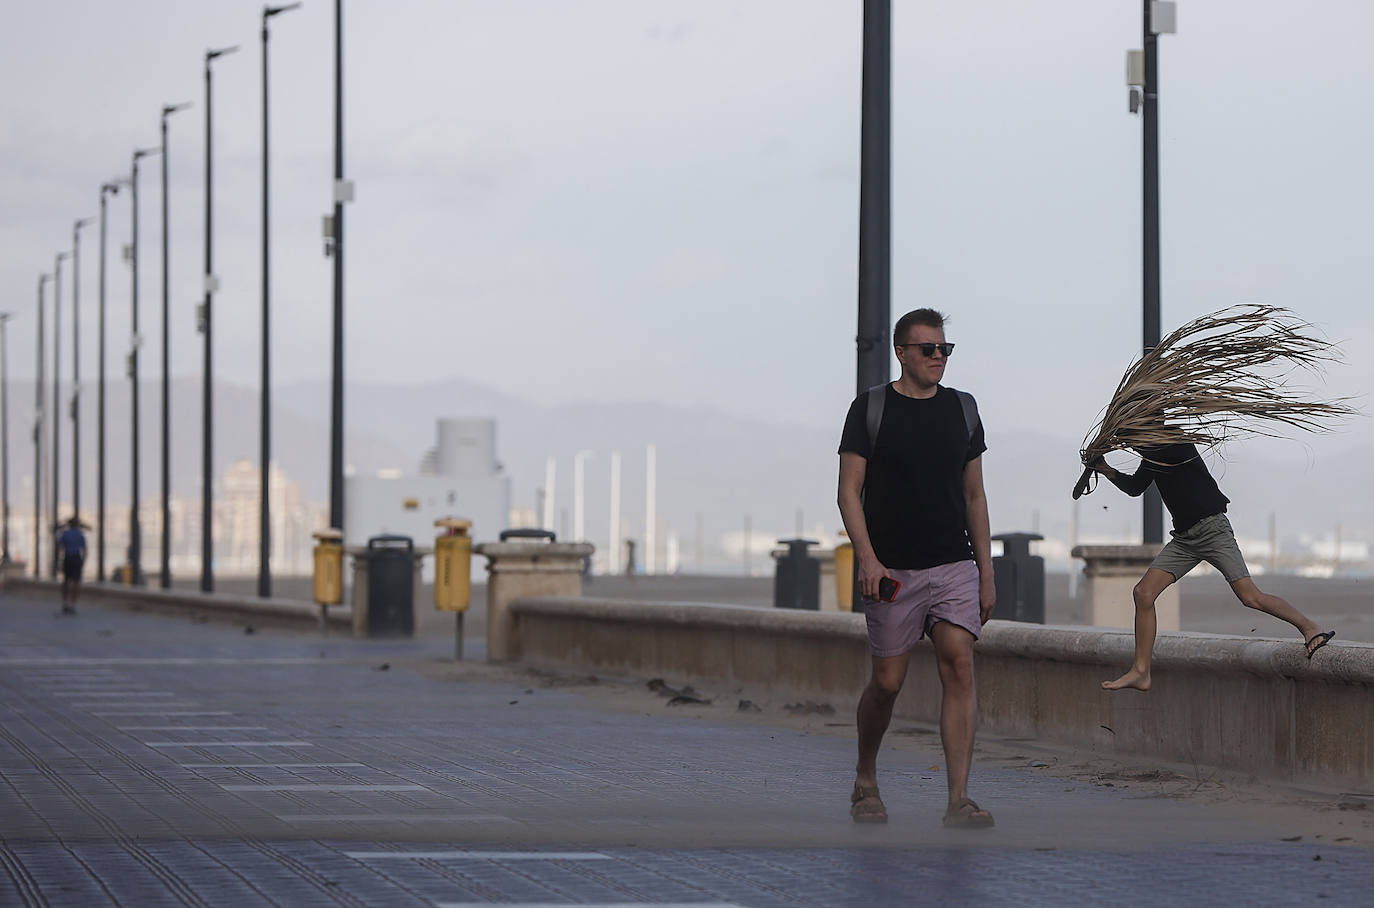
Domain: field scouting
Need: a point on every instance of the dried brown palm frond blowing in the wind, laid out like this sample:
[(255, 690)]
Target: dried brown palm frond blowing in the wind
[(1219, 376)]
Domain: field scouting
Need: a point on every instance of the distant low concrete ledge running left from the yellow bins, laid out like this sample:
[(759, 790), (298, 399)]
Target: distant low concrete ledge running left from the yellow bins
[(177, 601)]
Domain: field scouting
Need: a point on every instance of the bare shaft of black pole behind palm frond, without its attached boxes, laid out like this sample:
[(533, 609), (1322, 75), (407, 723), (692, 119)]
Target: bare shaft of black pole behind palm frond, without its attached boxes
[(1153, 506)]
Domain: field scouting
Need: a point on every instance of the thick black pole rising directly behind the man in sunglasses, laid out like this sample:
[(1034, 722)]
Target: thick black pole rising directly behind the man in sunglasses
[(876, 198)]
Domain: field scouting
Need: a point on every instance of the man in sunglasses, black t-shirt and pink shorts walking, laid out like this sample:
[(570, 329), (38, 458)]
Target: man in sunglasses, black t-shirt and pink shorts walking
[(913, 502)]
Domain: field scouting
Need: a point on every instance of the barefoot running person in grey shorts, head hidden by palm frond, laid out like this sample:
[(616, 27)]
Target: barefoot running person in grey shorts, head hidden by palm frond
[(1202, 534)]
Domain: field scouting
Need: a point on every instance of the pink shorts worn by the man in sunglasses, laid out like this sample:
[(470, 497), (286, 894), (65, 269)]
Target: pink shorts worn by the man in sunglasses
[(946, 593)]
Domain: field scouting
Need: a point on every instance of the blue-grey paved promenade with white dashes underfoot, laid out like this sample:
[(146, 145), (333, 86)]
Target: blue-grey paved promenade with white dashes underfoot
[(150, 760)]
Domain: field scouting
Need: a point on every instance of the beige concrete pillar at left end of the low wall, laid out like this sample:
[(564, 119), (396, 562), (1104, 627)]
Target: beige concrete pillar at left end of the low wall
[(516, 571)]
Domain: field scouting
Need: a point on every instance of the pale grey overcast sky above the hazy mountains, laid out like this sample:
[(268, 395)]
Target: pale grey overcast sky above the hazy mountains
[(607, 200)]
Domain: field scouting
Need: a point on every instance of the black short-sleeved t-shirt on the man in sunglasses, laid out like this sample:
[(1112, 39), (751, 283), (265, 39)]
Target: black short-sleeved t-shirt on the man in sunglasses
[(914, 481)]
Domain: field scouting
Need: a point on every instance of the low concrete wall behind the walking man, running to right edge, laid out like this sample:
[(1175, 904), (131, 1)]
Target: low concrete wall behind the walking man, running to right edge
[(1233, 703)]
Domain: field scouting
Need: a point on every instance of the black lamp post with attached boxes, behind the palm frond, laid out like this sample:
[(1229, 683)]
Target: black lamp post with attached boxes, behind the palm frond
[(1144, 76)]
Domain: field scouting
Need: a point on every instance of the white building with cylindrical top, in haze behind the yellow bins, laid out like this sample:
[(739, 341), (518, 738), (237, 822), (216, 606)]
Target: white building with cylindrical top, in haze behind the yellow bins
[(460, 477)]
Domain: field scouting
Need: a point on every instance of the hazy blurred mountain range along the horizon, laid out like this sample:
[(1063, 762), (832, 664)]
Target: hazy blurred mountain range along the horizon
[(715, 472)]
